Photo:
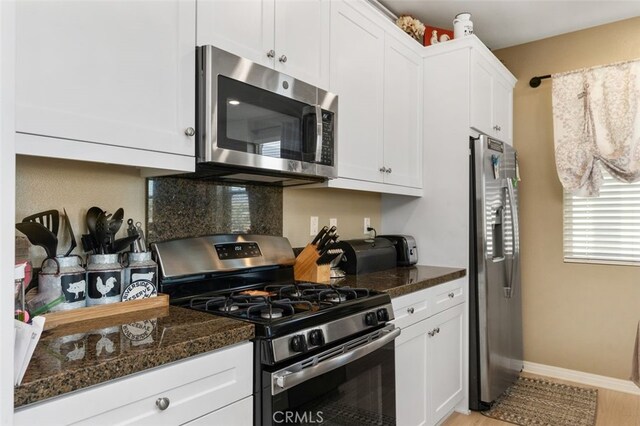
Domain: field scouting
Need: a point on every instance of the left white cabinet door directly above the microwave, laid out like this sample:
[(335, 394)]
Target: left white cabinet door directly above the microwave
[(242, 27)]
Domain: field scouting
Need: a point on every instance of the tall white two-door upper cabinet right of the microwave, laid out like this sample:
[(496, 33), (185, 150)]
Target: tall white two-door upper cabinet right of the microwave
[(376, 71)]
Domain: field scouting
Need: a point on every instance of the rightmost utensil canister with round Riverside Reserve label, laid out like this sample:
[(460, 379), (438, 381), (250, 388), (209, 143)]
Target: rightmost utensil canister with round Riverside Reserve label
[(140, 277)]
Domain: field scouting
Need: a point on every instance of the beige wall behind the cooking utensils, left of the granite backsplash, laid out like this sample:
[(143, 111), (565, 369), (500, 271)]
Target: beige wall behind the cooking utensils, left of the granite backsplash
[(45, 184)]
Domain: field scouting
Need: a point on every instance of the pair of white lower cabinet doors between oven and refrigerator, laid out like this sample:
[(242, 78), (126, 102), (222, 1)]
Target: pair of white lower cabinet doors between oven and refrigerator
[(430, 366)]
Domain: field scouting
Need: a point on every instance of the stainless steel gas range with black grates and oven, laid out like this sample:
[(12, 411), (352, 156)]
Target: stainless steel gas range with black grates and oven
[(323, 354)]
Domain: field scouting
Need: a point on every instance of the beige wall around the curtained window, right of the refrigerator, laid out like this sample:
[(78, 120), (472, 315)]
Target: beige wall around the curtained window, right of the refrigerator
[(576, 316)]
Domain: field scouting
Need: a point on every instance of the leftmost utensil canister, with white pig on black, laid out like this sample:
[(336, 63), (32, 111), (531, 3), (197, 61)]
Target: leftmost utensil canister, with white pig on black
[(67, 275)]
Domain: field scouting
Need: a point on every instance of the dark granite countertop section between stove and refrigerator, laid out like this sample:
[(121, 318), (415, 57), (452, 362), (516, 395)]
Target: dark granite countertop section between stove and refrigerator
[(403, 280)]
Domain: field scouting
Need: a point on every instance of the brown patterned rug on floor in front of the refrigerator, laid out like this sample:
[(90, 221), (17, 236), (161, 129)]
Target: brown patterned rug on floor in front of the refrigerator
[(541, 402)]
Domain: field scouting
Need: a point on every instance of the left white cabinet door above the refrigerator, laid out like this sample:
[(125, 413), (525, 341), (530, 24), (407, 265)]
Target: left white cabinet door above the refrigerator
[(481, 98)]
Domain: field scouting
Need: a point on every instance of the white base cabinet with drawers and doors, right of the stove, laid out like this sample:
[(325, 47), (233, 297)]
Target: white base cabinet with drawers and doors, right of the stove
[(430, 353)]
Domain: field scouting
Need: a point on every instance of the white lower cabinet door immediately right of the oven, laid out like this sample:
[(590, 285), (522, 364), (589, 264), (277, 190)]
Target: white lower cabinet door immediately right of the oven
[(411, 375)]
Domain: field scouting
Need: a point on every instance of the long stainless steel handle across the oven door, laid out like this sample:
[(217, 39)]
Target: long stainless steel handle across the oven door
[(284, 379)]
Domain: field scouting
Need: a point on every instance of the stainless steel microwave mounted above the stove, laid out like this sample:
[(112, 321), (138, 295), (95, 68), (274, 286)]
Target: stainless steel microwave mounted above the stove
[(257, 124)]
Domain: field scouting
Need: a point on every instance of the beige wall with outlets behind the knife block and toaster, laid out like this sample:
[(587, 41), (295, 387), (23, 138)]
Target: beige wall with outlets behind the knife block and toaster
[(349, 207)]
